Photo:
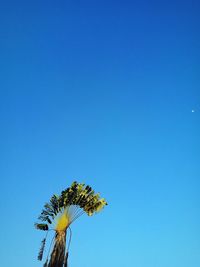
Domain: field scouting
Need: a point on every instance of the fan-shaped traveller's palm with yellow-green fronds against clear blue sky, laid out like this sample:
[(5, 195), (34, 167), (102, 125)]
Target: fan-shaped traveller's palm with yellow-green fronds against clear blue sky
[(60, 213)]
